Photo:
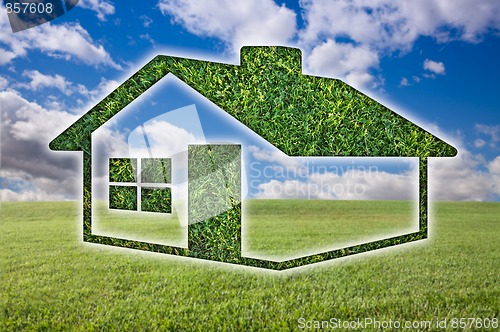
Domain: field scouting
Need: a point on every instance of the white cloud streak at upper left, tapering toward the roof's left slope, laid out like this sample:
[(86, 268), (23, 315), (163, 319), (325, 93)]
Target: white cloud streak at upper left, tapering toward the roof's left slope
[(66, 41)]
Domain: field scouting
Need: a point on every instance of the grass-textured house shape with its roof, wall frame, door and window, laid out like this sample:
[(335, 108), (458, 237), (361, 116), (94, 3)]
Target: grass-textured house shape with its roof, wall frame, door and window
[(300, 115)]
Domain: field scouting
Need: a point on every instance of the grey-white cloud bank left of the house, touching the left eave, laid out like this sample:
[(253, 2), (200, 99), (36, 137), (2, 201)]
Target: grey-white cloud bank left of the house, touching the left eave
[(26, 130)]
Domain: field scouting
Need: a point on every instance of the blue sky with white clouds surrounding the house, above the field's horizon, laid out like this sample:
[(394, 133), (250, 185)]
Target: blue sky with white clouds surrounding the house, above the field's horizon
[(431, 61)]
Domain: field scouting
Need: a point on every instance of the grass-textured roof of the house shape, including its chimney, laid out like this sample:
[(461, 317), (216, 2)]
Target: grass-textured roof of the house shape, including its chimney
[(301, 115)]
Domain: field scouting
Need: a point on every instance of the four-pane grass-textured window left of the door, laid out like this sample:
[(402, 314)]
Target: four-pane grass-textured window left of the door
[(148, 192)]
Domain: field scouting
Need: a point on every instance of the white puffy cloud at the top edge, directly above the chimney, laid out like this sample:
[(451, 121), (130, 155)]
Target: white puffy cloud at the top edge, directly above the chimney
[(237, 23)]
